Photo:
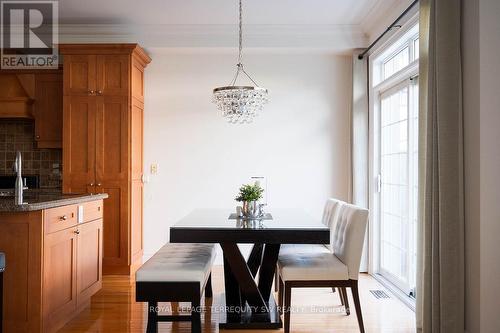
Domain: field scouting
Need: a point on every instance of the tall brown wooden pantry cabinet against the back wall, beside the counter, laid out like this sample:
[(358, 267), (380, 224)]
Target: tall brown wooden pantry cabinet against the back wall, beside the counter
[(103, 108)]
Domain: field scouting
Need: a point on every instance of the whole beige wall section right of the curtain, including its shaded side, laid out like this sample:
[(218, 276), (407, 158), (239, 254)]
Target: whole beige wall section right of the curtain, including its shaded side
[(481, 70)]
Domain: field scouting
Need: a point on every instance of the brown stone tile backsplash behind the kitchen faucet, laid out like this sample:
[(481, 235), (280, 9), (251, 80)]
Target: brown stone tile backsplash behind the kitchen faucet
[(20, 135)]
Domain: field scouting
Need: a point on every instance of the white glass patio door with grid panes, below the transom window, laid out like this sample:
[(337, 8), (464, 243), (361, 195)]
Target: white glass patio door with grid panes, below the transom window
[(398, 184)]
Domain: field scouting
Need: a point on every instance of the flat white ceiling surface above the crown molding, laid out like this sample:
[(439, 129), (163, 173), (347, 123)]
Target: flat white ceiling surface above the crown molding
[(215, 11)]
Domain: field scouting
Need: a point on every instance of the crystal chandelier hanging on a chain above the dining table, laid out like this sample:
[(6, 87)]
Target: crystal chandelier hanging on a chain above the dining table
[(240, 104)]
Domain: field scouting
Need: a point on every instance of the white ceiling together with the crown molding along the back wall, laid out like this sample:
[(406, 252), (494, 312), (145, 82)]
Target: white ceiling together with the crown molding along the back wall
[(333, 25)]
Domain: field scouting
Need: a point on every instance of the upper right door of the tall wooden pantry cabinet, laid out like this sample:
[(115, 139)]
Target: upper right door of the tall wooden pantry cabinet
[(112, 75)]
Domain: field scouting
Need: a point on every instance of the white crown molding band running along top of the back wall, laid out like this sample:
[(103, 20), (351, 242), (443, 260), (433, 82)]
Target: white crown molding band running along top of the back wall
[(333, 38)]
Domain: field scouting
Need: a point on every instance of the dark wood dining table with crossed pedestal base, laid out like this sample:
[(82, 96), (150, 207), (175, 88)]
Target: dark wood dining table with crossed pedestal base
[(249, 303)]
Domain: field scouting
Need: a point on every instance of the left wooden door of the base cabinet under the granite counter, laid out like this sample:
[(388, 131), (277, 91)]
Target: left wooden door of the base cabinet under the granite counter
[(59, 283)]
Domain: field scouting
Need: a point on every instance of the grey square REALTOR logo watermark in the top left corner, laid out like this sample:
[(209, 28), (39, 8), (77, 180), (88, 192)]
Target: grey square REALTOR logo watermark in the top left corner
[(29, 34)]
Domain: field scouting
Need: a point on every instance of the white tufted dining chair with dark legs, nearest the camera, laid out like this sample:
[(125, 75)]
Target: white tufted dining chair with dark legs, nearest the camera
[(339, 269)]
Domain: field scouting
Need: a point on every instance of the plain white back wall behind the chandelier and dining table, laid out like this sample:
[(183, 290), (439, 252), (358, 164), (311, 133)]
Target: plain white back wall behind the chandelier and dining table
[(300, 142)]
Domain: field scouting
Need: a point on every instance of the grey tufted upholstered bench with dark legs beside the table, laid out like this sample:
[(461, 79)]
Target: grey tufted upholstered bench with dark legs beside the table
[(176, 273)]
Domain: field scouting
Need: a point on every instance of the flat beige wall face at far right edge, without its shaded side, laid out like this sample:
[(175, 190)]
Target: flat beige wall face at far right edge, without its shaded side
[(489, 39)]
